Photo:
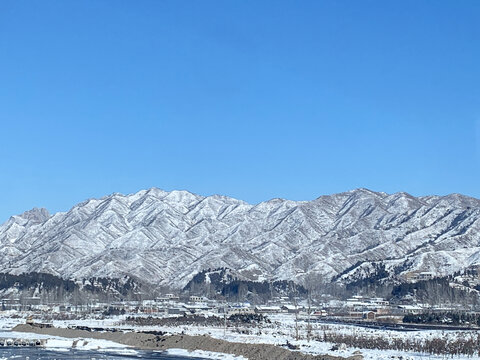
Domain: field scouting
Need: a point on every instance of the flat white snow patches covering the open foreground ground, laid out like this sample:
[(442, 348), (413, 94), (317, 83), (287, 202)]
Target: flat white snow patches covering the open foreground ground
[(281, 330)]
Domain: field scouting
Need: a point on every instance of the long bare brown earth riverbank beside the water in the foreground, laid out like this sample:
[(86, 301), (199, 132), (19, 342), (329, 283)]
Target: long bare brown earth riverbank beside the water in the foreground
[(146, 341)]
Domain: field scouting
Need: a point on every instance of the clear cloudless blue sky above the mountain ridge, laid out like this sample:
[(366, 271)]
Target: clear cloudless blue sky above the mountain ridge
[(251, 99)]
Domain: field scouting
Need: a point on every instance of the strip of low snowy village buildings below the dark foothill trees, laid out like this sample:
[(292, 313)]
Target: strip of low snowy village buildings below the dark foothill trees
[(354, 309)]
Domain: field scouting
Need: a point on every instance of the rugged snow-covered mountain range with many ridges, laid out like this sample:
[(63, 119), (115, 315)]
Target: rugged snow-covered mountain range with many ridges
[(167, 237)]
